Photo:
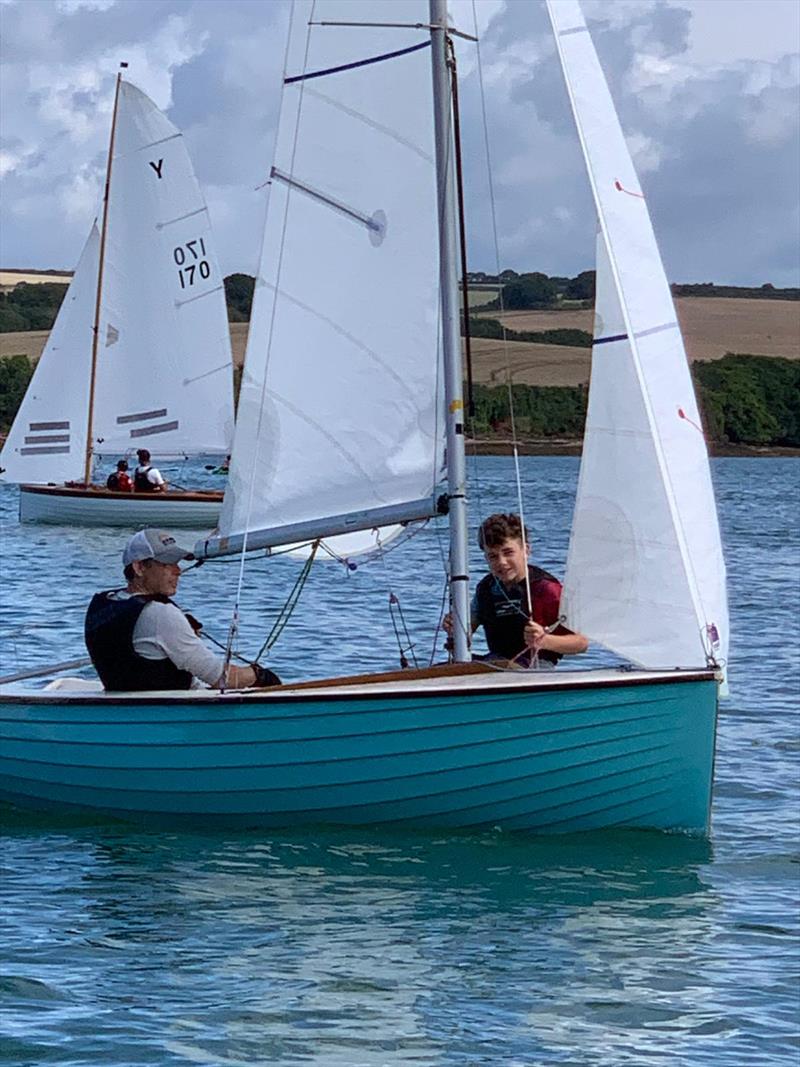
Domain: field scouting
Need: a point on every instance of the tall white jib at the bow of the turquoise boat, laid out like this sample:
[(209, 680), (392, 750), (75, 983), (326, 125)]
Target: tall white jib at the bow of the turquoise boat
[(646, 575)]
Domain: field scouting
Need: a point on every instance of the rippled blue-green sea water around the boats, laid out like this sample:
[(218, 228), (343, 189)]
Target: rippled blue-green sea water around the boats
[(120, 947)]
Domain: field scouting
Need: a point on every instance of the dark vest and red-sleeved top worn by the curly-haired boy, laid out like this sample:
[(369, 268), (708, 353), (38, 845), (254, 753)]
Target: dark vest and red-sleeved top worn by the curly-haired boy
[(504, 613)]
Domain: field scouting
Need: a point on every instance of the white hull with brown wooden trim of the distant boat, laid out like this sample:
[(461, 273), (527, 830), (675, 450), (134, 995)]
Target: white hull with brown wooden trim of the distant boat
[(98, 506)]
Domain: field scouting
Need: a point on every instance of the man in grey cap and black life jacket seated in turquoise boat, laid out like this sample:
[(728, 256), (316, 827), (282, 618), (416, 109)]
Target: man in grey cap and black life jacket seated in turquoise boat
[(138, 639)]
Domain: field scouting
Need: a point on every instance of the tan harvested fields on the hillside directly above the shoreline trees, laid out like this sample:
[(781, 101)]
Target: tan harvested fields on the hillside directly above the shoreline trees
[(712, 327)]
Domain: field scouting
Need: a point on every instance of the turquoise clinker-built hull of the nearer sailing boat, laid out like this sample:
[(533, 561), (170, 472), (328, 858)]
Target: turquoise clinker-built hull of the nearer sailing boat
[(546, 754)]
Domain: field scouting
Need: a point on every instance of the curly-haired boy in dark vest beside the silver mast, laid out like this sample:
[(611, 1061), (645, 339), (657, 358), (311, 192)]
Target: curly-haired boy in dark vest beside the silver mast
[(530, 636)]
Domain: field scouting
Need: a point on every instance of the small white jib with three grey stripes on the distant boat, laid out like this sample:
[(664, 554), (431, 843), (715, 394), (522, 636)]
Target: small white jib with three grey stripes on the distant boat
[(49, 439)]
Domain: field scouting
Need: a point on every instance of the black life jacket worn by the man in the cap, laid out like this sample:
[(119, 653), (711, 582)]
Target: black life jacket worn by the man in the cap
[(109, 636)]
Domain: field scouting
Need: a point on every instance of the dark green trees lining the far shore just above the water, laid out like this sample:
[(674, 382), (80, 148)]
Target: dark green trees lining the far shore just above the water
[(744, 401)]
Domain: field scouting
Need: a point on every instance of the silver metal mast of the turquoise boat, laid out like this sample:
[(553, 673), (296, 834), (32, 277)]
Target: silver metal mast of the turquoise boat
[(451, 333)]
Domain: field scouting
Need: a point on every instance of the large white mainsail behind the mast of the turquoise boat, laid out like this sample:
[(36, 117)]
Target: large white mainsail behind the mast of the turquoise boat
[(340, 410)]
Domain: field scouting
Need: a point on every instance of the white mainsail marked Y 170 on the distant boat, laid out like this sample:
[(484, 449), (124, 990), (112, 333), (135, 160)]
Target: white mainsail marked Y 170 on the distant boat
[(165, 377)]
